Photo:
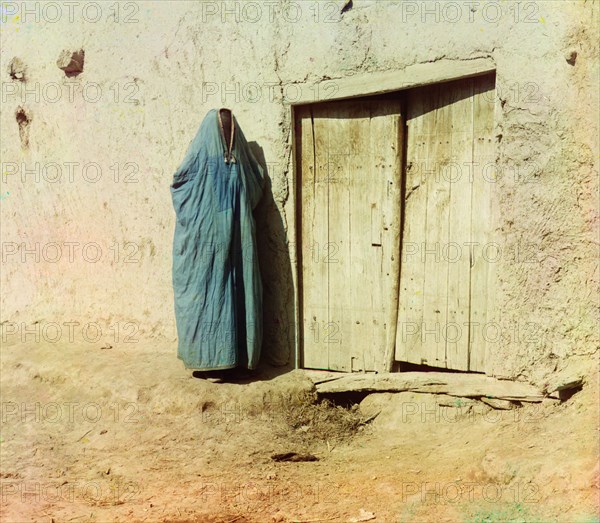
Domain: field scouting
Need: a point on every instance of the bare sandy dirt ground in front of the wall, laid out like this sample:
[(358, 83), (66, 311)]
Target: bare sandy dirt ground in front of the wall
[(98, 435)]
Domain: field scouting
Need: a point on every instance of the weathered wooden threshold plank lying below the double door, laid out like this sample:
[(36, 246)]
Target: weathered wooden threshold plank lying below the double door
[(453, 384)]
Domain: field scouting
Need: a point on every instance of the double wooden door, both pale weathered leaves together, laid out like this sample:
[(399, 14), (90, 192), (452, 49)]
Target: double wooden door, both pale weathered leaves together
[(396, 258)]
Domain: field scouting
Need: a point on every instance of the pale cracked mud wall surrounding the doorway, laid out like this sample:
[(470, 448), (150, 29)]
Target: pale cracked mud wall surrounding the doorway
[(88, 156)]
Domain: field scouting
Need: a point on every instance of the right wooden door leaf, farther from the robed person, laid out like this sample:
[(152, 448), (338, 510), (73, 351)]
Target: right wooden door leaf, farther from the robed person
[(445, 277)]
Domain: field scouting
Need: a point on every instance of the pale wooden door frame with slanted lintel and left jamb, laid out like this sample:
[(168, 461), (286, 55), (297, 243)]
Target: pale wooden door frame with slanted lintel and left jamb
[(358, 86)]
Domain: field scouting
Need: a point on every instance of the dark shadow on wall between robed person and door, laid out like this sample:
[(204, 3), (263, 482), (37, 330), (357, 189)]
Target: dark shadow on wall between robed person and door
[(279, 329)]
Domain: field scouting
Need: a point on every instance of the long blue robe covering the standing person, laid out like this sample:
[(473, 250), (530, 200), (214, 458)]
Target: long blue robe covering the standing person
[(216, 279)]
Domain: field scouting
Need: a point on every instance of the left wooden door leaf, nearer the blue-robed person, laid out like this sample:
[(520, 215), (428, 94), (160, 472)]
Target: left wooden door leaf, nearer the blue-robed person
[(349, 160)]
